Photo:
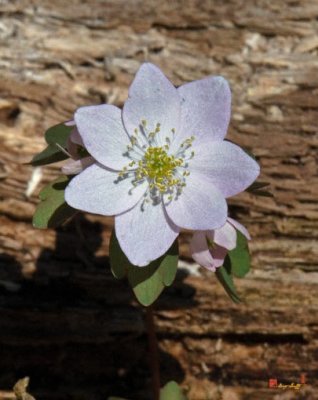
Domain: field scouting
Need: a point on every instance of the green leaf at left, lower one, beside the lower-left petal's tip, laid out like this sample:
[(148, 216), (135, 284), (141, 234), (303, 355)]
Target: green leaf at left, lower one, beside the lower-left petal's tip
[(53, 210)]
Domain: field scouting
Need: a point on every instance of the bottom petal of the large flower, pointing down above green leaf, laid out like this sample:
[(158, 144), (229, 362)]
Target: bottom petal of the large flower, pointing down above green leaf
[(144, 234)]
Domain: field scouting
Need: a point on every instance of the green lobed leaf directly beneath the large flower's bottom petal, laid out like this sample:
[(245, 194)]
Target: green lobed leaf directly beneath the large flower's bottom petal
[(149, 281)]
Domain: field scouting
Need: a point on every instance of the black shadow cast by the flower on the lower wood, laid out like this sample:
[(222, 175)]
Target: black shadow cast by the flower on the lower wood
[(73, 328)]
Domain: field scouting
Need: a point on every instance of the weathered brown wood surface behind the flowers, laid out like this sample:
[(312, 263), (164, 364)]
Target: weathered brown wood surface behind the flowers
[(64, 321)]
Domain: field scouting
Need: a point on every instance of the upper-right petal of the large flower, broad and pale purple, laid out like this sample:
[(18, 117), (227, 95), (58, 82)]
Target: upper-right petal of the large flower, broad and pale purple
[(205, 109)]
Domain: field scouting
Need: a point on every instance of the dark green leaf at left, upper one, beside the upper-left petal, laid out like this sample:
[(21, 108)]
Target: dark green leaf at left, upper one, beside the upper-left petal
[(52, 153)]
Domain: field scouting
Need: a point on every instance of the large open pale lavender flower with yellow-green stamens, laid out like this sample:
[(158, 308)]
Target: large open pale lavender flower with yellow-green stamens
[(161, 163)]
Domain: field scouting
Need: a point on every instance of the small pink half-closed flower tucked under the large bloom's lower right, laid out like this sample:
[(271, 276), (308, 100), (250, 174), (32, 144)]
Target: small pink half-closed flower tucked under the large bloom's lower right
[(209, 248)]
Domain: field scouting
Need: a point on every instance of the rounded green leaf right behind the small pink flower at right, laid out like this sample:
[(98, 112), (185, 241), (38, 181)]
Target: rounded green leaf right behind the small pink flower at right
[(240, 257)]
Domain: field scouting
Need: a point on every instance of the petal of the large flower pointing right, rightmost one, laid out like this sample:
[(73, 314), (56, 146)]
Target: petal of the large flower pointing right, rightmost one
[(229, 167)]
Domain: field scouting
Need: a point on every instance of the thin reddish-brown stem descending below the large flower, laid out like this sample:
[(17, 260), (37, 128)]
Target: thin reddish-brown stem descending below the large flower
[(153, 353)]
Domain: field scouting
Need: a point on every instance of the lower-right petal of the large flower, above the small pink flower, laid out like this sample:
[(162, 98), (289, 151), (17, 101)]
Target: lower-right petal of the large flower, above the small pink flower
[(200, 206)]
